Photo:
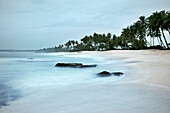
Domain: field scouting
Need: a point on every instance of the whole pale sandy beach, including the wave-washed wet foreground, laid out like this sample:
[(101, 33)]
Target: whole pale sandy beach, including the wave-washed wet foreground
[(144, 90)]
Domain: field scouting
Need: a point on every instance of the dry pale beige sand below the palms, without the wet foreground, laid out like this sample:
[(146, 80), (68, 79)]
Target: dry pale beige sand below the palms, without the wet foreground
[(150, 66)]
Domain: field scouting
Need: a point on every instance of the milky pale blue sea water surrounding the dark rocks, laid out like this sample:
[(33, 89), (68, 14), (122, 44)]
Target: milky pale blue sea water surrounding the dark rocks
[(27, 73)]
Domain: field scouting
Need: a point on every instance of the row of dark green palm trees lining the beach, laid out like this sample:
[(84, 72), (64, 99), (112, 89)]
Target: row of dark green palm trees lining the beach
[(132, 37)]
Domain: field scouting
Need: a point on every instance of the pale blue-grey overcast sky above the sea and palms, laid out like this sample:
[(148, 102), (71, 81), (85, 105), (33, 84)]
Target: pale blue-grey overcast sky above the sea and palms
[(35, 24)]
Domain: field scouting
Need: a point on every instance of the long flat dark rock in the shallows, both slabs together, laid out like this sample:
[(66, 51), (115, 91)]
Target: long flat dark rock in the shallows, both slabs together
[(74, 65)]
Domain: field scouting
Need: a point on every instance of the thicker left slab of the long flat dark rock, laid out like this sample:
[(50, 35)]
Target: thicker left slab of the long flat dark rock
[(69, 65)]
